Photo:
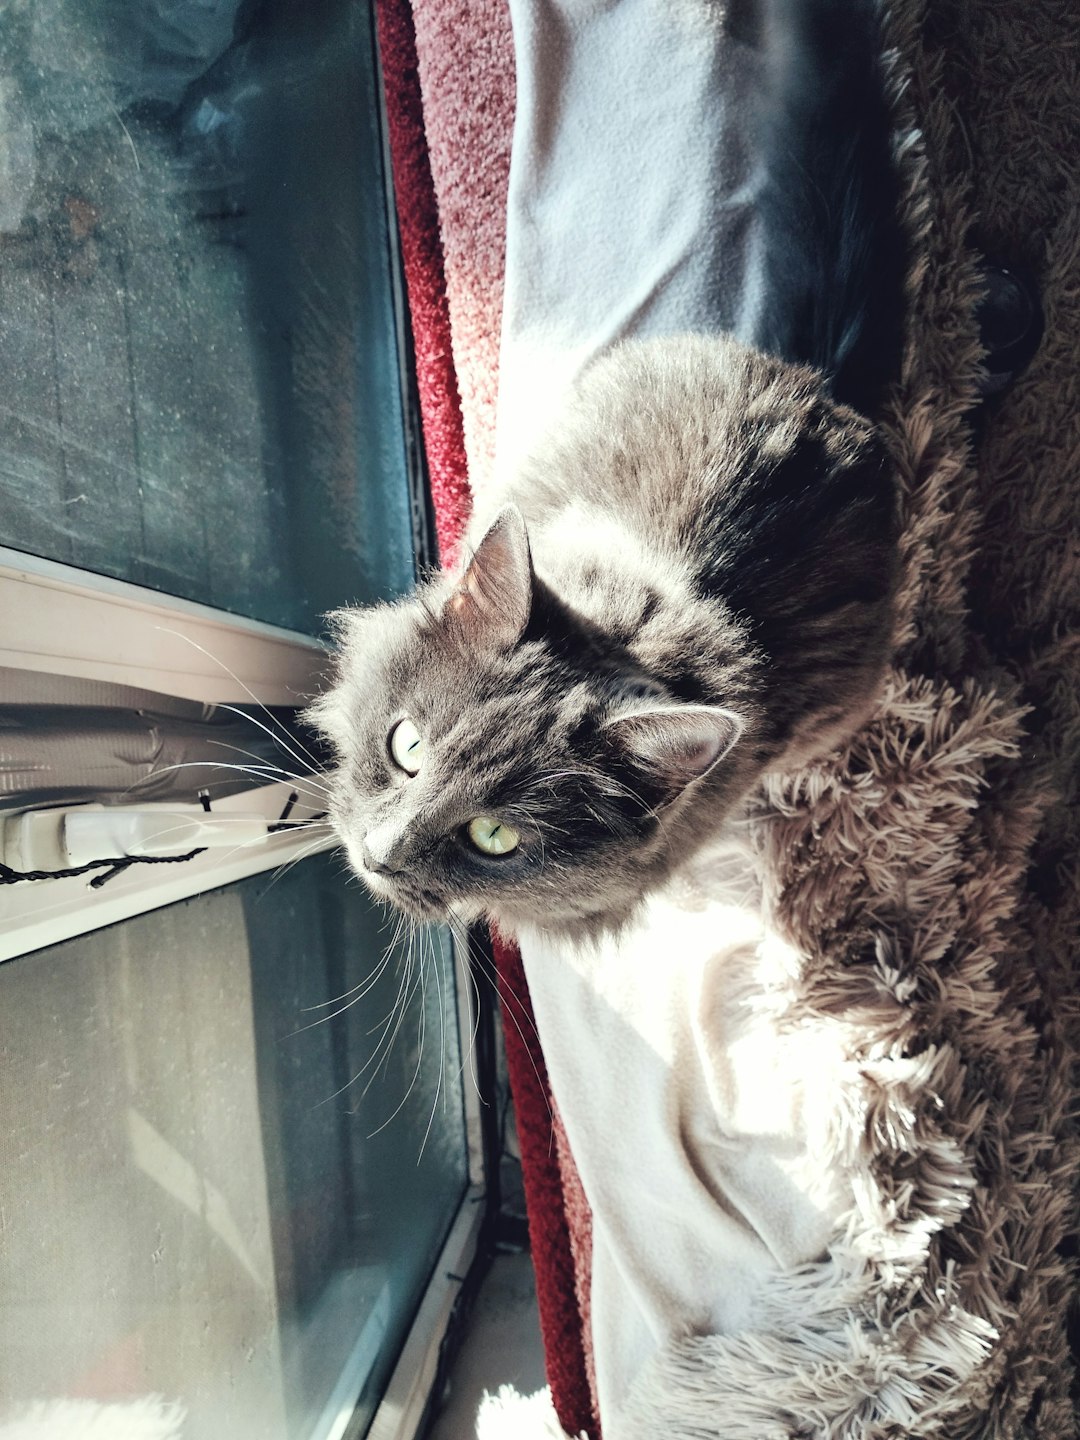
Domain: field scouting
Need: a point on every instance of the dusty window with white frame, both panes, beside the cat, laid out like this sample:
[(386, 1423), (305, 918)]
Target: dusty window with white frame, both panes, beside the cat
[(237, 1163)]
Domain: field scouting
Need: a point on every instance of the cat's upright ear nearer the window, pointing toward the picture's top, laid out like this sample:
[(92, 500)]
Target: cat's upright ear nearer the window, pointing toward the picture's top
[(495, 597)]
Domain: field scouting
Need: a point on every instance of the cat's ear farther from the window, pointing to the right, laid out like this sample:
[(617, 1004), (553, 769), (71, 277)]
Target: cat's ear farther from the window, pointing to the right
[(676, 744)]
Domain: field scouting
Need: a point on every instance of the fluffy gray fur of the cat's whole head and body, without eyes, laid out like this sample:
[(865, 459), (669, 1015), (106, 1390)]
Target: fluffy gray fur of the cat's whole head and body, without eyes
[(689, 584)]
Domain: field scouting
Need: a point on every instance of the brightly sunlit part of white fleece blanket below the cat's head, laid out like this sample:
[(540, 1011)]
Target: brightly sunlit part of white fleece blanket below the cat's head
[(703, 1128)]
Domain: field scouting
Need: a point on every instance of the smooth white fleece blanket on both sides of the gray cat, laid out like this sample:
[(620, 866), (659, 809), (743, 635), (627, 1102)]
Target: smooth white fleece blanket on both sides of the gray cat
[(701, 1128)]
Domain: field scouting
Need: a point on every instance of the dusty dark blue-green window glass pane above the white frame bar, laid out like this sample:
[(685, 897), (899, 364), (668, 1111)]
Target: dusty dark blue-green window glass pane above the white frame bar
[(197, 325)]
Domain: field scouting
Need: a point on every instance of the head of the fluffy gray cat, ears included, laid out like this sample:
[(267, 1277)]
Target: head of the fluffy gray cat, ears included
[(496, 760)]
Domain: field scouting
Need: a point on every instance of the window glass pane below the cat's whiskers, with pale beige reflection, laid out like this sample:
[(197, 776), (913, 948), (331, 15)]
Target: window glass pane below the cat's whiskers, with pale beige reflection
[(210, 1189)]
